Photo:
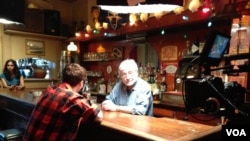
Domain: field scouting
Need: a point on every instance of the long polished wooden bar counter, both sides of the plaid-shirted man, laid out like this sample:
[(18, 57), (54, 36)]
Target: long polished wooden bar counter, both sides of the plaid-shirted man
[(119, 125)]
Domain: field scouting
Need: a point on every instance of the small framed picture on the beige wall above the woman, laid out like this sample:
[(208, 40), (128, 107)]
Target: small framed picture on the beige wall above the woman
[(35, 47)]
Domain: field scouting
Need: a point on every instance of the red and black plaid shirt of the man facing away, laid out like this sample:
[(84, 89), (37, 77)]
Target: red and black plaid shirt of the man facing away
[(57, 115)]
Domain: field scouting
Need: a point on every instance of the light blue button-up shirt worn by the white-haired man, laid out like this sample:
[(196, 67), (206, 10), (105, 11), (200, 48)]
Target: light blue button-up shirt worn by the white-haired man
[(139, 98)]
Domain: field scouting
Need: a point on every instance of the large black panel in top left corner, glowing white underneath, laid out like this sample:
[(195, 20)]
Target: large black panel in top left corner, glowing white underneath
[(12, 10)]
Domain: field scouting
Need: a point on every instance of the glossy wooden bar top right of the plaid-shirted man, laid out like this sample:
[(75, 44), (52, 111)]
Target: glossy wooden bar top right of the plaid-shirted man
[(153, 128)]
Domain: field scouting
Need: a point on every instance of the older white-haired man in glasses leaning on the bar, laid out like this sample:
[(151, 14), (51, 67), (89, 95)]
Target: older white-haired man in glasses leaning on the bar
[(132, 94)]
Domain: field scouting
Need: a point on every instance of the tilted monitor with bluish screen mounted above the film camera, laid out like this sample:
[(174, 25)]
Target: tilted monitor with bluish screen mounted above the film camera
[(214, 49)]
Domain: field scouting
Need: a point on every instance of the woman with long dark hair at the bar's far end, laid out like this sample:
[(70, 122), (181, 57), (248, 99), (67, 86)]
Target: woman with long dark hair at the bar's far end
[(12, 78)]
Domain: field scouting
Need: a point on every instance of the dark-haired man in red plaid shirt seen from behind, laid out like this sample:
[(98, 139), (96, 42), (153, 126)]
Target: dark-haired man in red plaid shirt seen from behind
[(60, 110)]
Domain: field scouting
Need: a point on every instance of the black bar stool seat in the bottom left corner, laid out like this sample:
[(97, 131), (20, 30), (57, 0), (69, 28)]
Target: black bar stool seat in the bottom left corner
[(11, 134)]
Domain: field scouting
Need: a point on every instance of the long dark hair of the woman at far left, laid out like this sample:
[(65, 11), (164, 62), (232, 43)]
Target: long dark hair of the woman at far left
[(16, 70)]
